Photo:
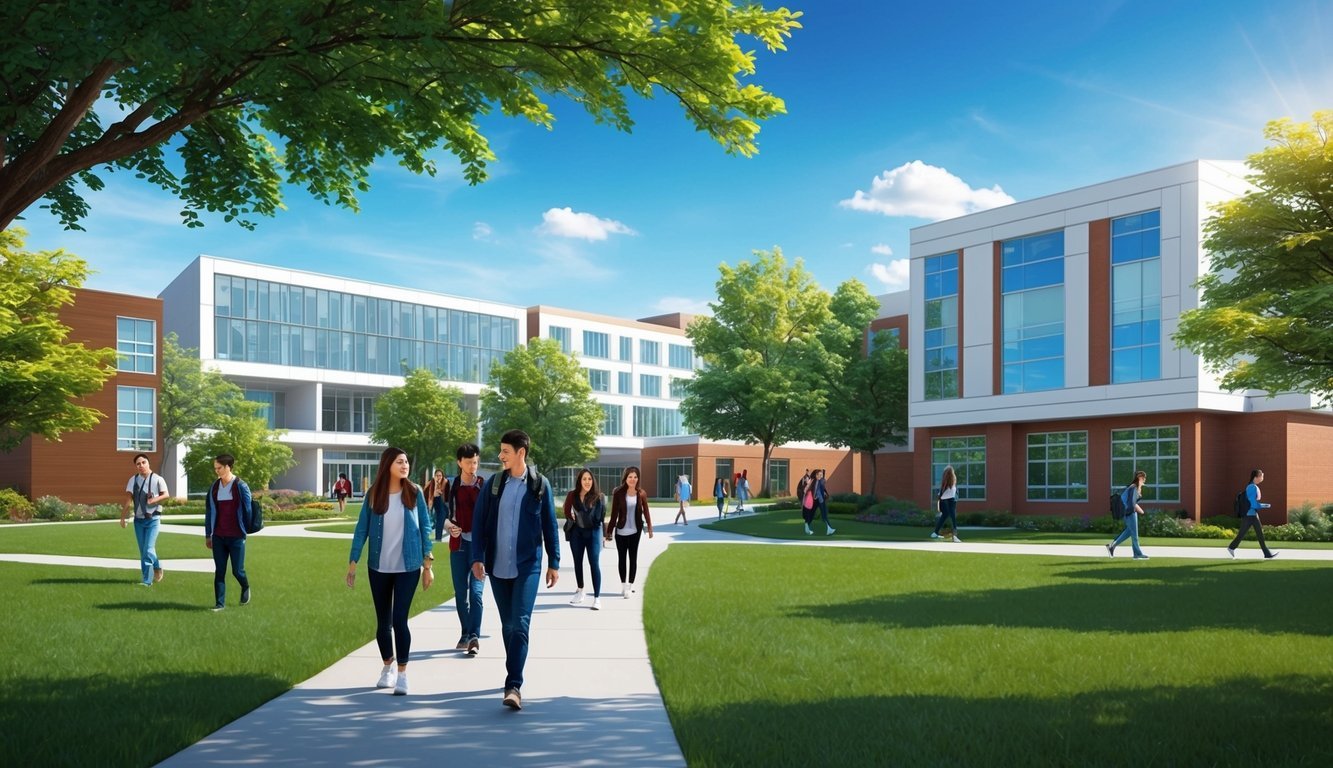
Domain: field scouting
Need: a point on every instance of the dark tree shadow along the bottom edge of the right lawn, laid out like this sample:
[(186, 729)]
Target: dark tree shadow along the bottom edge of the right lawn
[(1235, 722)]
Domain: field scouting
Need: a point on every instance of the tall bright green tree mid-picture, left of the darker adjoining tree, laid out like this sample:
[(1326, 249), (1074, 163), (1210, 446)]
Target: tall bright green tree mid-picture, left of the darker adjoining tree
[(764, 378)]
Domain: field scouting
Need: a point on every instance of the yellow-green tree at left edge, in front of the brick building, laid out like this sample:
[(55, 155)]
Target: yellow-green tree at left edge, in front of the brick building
[(41, 373)]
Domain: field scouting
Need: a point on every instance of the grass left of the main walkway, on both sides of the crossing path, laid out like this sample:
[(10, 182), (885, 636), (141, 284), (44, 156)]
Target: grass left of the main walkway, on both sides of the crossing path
[(97, 670)]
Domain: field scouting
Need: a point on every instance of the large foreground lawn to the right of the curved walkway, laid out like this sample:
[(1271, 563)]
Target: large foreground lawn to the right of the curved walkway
[(780, 657)]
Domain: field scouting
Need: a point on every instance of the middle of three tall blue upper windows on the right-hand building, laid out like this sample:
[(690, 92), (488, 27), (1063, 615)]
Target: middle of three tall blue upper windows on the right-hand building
[(1034, 309)]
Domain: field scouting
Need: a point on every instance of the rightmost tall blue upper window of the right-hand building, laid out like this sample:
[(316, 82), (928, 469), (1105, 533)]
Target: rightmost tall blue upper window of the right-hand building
[(1136, 286)]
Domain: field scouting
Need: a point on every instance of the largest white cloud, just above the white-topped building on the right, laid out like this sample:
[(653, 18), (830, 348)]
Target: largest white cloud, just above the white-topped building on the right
[(924, 191)]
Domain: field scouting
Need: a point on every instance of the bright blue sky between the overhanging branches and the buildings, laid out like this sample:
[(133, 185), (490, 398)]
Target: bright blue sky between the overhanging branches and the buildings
[(896, 118)]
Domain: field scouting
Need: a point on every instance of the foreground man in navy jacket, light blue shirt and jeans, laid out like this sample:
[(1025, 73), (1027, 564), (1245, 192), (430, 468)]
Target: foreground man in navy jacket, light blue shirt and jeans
[(514, 521)]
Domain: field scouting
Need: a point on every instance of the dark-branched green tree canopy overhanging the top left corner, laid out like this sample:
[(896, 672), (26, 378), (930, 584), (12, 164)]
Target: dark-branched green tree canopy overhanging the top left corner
[(258, 93)]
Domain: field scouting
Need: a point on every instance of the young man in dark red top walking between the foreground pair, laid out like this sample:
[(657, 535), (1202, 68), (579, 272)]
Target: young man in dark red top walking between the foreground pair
[(467, 589)]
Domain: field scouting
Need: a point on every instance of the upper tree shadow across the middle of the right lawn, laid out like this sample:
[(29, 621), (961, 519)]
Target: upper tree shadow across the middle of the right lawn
[(1128, 599)]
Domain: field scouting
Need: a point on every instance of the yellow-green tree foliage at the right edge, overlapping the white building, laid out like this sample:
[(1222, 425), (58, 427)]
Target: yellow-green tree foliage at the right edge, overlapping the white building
[(1266, 317)]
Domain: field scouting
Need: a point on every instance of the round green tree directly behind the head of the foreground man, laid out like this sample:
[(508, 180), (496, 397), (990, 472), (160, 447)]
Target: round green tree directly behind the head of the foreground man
[(545, 393)]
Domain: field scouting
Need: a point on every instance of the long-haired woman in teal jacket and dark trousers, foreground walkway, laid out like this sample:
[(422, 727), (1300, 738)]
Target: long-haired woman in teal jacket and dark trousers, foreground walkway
[(398, 525)]
